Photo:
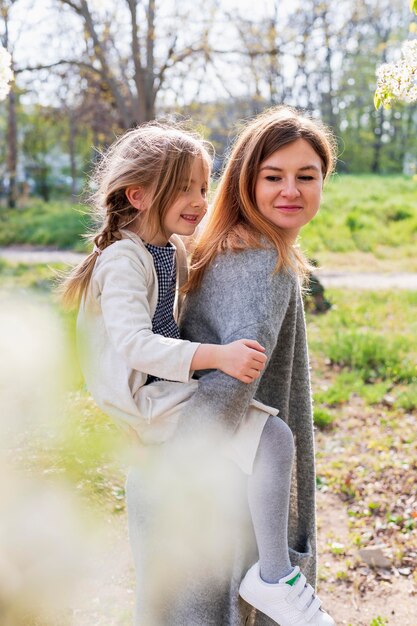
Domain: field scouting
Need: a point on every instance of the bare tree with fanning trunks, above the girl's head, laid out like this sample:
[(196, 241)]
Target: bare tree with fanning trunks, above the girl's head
[(133, 61)]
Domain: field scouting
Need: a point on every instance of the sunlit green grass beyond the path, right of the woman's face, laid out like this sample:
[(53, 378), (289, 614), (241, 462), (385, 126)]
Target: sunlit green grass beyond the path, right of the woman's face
[(365, 214)]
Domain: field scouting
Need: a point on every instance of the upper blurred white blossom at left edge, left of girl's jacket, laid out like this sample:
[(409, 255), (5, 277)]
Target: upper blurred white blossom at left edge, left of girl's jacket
[(31, 368)]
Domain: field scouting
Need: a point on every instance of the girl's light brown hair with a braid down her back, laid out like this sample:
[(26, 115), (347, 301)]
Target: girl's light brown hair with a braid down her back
[(155, 157)]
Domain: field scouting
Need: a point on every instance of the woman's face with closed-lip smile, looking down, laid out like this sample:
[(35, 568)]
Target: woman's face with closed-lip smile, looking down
[(289, 185)]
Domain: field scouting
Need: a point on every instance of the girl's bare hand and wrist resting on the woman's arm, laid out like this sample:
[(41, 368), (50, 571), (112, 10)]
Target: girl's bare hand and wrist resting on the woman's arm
[(243, 359)]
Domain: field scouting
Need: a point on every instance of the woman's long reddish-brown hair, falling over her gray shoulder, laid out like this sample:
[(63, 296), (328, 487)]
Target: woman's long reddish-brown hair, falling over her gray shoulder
[(235, 222)]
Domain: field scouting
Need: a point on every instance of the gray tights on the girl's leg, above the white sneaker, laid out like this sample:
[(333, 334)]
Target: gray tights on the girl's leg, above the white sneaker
[(269, 496)]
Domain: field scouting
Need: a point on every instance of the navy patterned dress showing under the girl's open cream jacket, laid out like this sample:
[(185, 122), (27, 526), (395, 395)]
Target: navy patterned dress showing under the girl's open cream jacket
[(163, 322)]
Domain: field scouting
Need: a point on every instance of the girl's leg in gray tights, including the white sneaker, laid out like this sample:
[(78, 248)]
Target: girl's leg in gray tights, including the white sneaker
[(273, 586)]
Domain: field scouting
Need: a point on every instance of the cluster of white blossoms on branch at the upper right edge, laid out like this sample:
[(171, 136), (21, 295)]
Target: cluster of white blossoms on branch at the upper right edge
[(398, 81)]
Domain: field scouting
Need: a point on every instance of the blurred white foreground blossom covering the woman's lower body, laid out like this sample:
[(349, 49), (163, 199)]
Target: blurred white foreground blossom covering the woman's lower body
[(191, 514)]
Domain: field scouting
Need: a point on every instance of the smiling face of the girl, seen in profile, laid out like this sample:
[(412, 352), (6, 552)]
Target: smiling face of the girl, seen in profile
[(183, 217)]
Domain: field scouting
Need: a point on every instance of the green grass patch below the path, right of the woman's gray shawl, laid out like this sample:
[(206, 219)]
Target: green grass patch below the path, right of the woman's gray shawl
[(364, 346)]
